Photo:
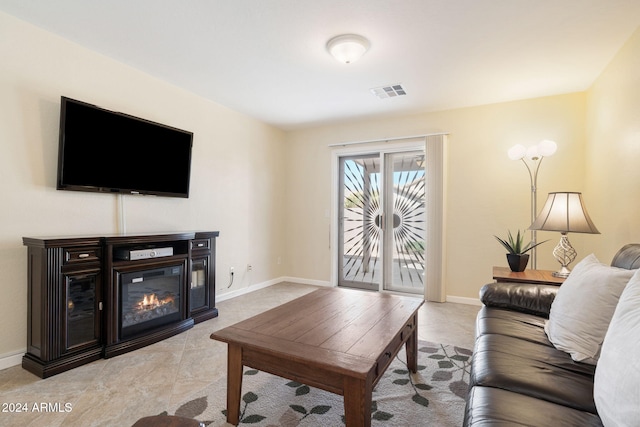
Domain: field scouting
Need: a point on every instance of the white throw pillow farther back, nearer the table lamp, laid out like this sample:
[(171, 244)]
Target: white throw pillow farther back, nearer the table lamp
[(581, 312)]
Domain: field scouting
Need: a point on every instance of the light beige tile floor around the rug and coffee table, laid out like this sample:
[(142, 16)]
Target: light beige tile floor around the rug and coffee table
[(120, 390)]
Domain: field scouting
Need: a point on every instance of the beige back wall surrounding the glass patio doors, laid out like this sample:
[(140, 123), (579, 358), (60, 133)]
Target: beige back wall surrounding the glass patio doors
[(486, 192)]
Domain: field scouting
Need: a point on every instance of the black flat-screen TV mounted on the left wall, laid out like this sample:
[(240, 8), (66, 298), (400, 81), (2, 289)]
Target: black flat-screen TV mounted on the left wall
[(130, 158)]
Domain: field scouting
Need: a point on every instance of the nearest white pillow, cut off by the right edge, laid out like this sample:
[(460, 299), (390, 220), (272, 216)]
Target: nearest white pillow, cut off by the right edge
[(617, 383)]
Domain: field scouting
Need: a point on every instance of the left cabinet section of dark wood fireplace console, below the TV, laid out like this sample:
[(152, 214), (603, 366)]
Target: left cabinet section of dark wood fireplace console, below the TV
[(64, 319)]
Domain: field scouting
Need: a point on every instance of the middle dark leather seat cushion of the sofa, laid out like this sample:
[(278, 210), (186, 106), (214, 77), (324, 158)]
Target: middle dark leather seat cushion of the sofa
[(532, 369)]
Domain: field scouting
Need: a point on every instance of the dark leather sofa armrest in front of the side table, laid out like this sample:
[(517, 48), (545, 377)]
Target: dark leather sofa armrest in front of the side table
[(524, 297)]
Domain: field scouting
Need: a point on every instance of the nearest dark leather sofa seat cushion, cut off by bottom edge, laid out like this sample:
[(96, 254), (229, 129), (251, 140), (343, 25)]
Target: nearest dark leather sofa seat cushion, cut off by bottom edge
[(494, 406)]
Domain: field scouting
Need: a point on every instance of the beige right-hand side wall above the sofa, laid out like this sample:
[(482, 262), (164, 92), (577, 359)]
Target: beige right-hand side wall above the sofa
[(613, 150)]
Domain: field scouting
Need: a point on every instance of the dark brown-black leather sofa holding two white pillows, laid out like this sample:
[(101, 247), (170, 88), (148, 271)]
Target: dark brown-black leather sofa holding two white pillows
[(518, 377)]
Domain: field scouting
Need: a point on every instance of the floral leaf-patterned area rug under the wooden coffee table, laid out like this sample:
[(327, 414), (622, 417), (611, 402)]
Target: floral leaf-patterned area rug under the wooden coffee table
[(432, 396)]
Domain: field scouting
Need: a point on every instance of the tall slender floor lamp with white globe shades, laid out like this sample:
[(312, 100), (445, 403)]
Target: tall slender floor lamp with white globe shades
[(534, 154)]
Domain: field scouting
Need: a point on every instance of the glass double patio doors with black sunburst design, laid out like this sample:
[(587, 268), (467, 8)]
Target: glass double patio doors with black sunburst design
[(381, 221)]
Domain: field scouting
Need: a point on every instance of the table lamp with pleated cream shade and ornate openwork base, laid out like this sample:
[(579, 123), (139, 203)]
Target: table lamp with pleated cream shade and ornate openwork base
[(564, 212)]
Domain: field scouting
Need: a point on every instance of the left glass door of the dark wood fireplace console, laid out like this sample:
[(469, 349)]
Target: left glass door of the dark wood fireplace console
[(81, 307)]
